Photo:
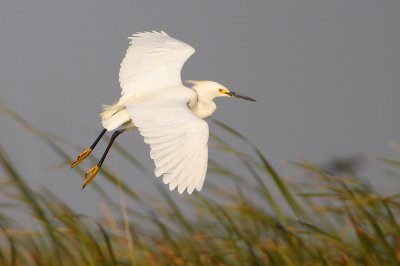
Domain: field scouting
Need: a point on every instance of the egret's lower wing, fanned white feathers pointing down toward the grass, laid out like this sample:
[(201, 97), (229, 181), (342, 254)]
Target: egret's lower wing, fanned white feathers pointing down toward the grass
[(177, 138)]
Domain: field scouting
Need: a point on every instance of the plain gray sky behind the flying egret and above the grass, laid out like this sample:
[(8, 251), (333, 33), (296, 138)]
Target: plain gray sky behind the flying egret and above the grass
[(326, 75)]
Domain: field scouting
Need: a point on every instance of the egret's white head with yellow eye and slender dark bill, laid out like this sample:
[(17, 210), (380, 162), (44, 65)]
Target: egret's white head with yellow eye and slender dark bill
[(213, 89)]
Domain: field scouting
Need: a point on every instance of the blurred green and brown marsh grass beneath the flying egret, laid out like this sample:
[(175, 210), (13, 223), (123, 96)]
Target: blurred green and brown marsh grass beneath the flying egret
[(261, 220)]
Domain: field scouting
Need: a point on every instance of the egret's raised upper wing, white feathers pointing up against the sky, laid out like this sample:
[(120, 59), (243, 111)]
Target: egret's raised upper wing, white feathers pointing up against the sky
[(154, 60)]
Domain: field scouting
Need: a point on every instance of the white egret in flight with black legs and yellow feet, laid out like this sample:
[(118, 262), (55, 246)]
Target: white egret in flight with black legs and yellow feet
[(167, 114)]
